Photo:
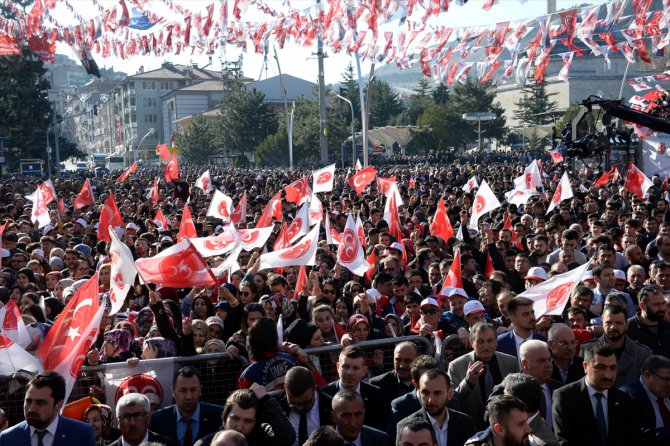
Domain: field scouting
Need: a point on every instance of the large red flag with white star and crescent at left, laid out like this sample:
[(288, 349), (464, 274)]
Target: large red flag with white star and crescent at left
[(70, 338)]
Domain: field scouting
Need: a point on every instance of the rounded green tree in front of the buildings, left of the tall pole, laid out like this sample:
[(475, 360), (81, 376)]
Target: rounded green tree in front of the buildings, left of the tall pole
[(245, 120)]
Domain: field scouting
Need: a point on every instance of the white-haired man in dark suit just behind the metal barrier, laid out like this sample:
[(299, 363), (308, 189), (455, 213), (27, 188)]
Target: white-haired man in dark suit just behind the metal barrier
[(398, 381)]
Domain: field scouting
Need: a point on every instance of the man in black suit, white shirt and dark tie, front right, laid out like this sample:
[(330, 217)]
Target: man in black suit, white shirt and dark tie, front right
[(592, 411)]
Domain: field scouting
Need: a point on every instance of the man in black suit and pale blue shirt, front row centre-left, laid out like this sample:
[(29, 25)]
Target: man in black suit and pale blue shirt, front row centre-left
[(306, 407)]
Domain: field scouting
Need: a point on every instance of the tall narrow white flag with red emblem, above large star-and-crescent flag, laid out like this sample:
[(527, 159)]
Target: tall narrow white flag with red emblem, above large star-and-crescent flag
[(122, 273)]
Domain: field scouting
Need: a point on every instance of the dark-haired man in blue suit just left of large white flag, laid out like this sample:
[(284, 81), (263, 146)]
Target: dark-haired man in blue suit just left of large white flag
[(522, 316)]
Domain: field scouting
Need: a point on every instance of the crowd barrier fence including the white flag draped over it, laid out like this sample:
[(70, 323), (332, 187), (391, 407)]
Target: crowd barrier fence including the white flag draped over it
[(219, 374)]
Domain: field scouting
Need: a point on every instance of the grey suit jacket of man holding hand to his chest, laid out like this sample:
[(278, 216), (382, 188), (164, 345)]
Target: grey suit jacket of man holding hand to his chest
[(471, 397)]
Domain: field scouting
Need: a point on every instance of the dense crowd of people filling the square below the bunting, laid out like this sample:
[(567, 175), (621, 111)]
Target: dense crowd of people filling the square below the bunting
[(502, 375)]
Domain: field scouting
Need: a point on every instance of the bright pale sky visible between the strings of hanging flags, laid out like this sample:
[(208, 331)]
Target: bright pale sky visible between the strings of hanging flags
[(298, 61)]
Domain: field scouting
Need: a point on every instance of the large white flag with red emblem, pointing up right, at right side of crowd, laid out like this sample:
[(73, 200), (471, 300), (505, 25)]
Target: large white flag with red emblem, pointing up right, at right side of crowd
[(551, 295)]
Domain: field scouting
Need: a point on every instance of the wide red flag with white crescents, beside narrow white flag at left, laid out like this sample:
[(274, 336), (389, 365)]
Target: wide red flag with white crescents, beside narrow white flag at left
[(179, 266)]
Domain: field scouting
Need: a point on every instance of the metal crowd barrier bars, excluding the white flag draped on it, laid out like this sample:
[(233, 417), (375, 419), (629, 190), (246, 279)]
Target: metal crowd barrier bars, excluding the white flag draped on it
[(218, 371)]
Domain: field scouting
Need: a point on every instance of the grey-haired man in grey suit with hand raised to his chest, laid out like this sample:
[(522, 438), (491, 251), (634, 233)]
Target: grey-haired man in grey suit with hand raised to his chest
[(475, 374)]
